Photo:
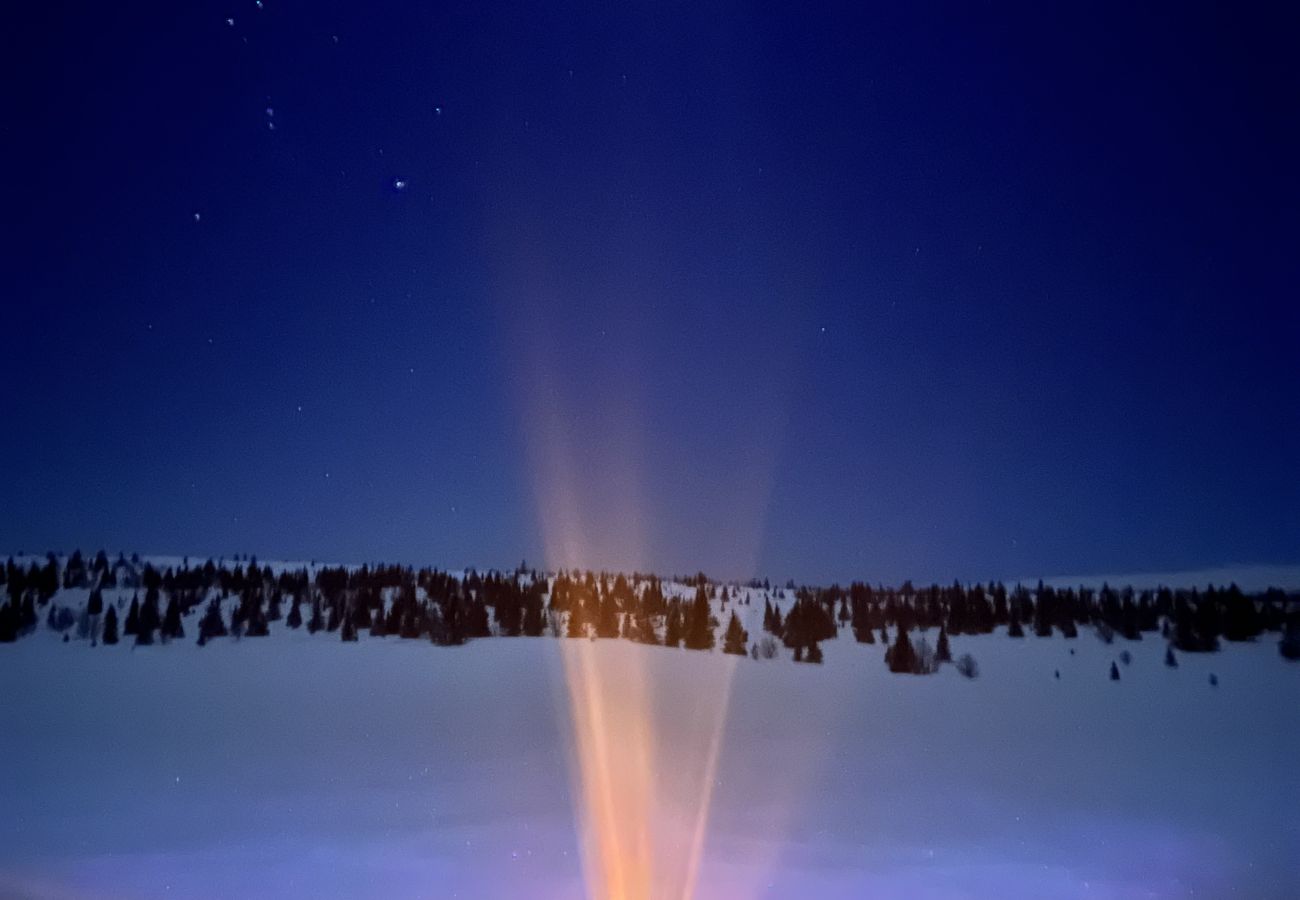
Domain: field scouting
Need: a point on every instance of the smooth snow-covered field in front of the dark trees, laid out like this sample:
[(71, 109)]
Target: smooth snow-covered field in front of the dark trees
[(301, 767)]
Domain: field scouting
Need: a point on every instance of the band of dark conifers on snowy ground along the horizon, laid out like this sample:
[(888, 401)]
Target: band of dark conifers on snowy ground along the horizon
[(245, 600)]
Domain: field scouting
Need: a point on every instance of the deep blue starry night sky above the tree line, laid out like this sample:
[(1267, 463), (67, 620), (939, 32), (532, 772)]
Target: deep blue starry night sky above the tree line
[(899, 292)]
